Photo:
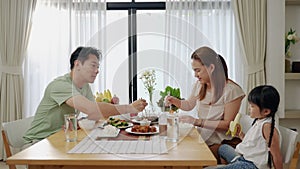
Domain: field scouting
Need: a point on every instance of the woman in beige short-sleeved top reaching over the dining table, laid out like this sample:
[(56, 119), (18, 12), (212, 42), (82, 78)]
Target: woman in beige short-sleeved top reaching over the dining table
[(216, 98)]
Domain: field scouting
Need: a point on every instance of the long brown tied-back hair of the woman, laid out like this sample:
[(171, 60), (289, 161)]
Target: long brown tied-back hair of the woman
[(219, 76)]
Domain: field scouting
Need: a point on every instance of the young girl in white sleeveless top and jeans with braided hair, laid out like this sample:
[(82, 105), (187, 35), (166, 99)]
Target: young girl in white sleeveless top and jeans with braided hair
[(260, 147)]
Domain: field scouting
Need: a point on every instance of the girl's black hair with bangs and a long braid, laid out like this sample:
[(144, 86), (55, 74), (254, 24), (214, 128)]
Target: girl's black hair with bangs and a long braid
[(266, 97)]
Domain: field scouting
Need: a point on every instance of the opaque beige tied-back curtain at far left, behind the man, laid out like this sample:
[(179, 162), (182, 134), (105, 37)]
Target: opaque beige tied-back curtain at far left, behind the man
[(15, 19)]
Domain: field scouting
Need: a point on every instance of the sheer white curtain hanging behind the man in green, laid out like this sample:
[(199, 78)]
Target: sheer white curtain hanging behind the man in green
[(59, 27)]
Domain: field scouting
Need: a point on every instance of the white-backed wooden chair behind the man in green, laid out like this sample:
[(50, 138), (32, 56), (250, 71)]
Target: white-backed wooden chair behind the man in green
[(12, 134)]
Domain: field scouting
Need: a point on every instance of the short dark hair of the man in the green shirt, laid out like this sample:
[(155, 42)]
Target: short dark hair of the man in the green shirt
[(82, 53)]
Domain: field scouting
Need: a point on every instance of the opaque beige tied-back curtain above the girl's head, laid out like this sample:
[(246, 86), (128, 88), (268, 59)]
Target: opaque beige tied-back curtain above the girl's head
[(251, 18)]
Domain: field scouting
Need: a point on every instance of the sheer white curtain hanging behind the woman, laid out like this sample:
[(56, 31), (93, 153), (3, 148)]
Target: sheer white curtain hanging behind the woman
[(191, 24)]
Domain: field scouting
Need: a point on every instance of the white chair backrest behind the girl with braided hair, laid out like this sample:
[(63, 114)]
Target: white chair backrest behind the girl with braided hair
[(288, 143)]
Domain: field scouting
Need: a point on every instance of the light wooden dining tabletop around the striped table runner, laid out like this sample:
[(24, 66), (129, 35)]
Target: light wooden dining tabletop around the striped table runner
[(190, 152)]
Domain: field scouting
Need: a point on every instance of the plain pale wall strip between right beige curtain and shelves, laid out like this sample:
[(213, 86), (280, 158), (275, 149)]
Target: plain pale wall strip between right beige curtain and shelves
[(275, 48)]
